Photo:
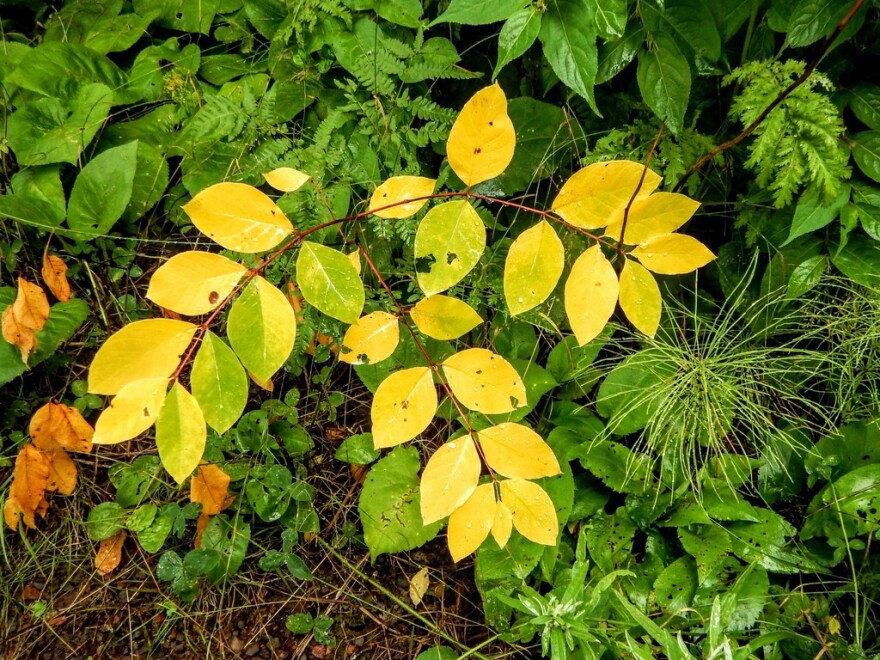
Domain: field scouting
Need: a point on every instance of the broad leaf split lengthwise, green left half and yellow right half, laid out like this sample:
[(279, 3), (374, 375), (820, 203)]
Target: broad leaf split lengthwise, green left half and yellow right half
[(261, 328)]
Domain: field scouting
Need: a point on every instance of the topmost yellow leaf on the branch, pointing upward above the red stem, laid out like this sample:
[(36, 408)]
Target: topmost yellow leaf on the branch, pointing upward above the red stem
[(482, 139)]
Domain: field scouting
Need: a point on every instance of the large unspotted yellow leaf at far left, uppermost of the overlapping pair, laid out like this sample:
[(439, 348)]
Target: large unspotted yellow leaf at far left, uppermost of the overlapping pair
[(144, 349)]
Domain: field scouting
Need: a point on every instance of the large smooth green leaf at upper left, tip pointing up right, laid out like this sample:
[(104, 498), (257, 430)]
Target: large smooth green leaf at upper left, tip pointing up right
[(102, 191)]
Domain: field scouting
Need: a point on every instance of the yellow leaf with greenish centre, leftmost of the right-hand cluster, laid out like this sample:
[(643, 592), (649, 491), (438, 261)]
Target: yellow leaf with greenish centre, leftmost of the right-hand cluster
[(533, 266)]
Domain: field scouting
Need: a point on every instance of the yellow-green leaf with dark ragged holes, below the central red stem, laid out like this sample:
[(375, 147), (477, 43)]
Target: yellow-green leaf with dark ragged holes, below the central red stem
[(448, 244)]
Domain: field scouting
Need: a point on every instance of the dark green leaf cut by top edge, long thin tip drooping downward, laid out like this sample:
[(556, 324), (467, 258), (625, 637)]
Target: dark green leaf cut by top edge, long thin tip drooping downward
[(568, 34)]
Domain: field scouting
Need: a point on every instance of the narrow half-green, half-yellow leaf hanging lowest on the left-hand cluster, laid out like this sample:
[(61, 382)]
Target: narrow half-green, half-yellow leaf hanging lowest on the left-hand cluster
[(180, 433)]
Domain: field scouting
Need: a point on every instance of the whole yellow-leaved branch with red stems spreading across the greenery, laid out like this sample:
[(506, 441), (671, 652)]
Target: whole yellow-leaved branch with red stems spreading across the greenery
[(482, 481)]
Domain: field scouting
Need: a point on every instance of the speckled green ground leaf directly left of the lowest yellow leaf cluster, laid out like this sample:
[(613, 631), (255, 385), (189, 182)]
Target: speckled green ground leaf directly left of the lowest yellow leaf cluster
[(390, 505)]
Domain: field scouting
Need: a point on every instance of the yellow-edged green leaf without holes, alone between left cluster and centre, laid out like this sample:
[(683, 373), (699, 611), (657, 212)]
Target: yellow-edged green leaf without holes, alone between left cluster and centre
[(328, 280)]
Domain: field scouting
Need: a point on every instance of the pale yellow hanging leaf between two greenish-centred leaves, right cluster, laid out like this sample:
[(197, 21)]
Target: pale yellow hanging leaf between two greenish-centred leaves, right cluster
[(590, 294)]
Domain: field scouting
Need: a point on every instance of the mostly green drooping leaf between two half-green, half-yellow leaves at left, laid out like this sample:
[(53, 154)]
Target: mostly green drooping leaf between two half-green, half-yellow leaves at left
[(219, 383)]
